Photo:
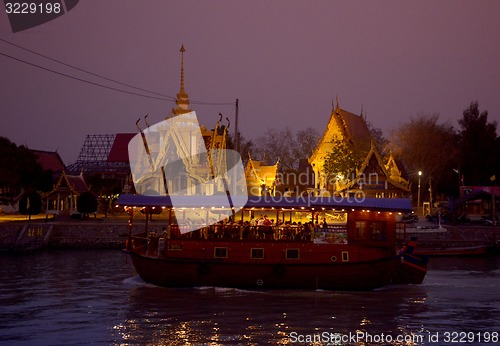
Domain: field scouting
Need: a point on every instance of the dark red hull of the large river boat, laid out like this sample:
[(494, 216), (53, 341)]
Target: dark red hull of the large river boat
[(319, 266)]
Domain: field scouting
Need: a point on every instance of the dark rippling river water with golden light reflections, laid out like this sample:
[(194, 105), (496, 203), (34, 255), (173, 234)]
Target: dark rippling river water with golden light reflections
[(95, 297)]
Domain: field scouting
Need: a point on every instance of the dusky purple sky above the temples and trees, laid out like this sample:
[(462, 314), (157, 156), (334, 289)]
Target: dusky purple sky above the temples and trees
[(284, 60)]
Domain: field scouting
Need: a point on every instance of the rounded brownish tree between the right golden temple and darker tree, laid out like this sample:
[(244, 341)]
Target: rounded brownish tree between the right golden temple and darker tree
[(424, 144)]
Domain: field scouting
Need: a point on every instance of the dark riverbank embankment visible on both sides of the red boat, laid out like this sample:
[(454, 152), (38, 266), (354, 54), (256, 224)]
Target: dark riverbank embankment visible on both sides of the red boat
[(111, 232)]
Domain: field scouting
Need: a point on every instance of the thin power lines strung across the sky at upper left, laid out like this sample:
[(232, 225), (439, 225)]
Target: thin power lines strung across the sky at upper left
[(163, 96)]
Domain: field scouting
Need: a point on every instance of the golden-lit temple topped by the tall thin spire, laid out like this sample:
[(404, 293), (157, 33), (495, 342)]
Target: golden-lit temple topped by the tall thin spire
[(181, 157)]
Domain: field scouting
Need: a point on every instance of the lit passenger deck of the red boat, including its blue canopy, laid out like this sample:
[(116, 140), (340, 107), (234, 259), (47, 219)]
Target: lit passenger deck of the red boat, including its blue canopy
[(320, 220)]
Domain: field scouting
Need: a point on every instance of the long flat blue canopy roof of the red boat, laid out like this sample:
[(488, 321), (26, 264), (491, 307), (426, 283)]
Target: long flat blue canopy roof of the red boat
[(221, 201)]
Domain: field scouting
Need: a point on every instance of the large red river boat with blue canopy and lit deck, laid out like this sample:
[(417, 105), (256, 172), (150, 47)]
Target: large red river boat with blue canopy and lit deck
[(331, 243)]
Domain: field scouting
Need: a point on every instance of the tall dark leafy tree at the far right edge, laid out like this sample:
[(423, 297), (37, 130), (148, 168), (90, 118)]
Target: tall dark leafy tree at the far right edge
[(479, 146)]
